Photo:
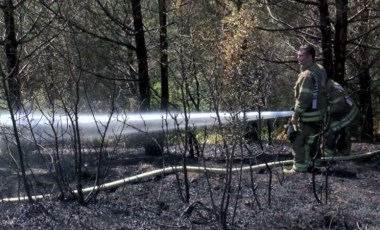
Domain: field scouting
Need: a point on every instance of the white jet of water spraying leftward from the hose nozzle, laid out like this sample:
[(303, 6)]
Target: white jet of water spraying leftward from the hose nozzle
[(44, 126)]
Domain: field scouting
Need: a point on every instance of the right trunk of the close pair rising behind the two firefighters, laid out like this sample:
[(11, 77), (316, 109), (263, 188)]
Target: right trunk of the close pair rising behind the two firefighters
[(340, 41)]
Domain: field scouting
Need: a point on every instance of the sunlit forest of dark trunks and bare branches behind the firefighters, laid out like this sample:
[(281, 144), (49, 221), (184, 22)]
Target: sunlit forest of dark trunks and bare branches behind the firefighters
[(132, 56)]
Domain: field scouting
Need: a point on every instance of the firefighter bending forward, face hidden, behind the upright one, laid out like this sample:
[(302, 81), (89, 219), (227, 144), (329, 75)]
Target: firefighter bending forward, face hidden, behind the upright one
[(342, 112)]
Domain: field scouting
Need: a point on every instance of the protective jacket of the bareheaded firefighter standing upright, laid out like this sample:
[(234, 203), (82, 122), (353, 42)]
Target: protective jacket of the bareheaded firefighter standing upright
[(310, 93)]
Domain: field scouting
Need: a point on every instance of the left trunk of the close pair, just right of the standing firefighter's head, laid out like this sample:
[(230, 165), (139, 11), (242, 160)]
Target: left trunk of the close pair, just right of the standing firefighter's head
[(326, 37)]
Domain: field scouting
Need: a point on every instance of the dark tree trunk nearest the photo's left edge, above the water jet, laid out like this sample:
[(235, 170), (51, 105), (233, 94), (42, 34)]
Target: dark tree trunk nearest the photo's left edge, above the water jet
[(11, 45)]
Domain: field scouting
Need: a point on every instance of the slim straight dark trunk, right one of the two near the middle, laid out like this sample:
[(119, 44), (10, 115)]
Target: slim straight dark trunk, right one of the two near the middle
[(164, 56)]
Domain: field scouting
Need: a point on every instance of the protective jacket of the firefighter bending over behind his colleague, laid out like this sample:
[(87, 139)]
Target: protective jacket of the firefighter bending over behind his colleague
[(342, 110)]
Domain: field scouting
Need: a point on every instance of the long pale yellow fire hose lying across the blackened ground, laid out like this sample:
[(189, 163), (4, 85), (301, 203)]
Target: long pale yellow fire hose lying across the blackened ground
[(197, 169)]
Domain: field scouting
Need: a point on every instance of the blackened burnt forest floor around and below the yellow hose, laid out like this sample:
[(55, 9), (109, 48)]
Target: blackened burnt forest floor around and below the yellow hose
[(353, 197)]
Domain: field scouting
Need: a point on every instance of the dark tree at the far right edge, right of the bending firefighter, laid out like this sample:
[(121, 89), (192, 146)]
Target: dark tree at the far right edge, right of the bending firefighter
[(364, 55)]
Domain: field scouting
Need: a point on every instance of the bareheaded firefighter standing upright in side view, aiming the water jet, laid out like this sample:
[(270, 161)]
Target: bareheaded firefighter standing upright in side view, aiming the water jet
[(309, 109)]
